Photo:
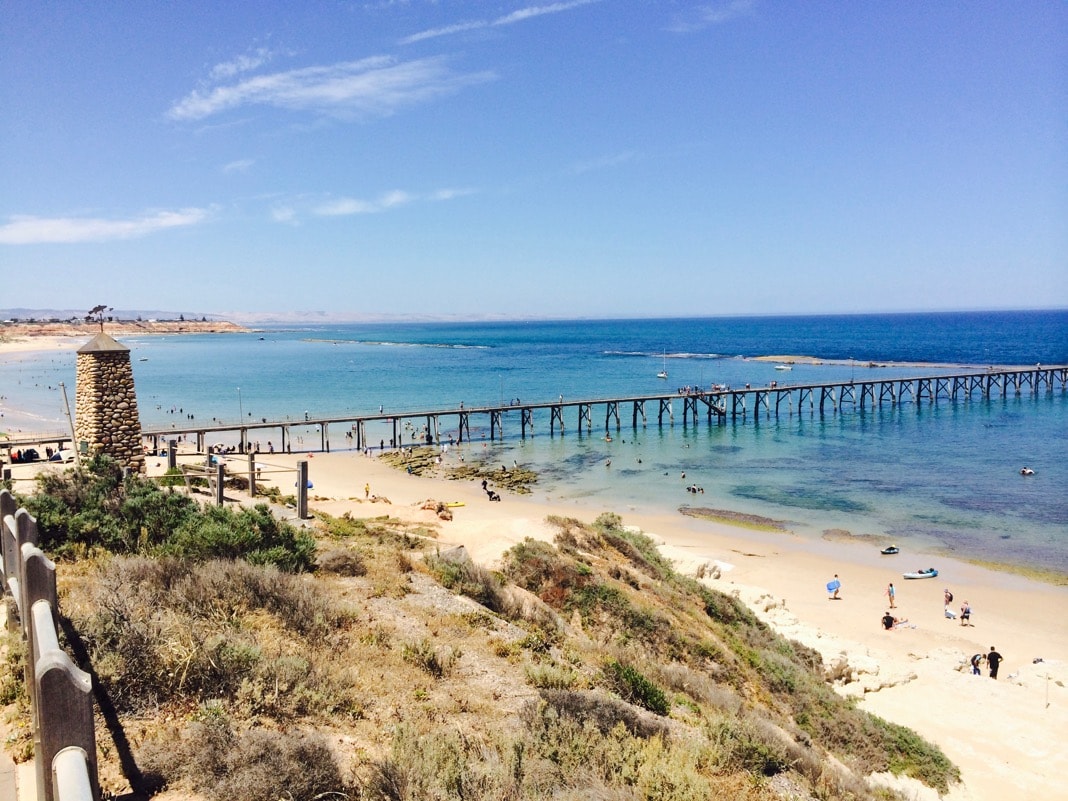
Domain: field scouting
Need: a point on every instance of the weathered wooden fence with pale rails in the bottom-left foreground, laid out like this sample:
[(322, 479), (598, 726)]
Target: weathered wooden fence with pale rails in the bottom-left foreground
[(61, 695)]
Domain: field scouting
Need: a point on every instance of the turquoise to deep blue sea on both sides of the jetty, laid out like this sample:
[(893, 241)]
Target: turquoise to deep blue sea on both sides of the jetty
[(941, 477)]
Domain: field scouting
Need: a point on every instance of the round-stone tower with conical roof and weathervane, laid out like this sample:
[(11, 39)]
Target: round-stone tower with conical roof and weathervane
[(106, 416)]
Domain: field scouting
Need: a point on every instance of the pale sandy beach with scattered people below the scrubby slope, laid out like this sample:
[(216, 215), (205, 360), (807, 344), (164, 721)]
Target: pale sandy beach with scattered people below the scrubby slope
[(1006, 735)]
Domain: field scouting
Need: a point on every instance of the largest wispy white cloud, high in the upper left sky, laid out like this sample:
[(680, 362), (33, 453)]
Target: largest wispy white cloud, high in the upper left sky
[(375, 86)]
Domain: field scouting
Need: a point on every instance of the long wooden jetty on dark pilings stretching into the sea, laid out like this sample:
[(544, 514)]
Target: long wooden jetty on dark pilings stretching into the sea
[(718, 405)]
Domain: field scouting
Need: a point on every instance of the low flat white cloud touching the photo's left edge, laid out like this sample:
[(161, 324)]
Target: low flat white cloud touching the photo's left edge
[(25, 230)]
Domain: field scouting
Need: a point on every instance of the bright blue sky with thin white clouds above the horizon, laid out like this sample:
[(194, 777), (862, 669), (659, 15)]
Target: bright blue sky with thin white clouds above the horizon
[(582, 159)]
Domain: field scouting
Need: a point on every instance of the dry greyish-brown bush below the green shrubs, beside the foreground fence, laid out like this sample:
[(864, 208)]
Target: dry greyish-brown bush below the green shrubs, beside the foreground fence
[(165, 631)]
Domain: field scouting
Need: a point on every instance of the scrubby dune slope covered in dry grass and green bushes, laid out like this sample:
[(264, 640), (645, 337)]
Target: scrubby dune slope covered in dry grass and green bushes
[(239, 657)]
